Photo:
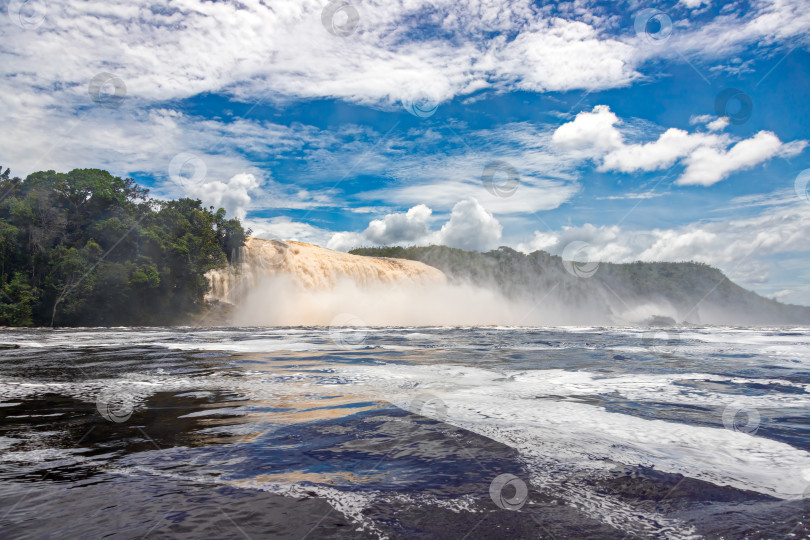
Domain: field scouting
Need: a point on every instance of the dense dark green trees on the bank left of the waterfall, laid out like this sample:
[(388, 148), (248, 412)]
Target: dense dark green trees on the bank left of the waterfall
[(87, 248)]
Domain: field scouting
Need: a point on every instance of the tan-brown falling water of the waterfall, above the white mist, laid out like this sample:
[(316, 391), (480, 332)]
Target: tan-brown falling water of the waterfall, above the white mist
[(311, 268)]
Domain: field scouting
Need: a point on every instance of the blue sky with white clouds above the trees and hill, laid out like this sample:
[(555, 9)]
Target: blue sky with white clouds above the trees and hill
[(649, 130)]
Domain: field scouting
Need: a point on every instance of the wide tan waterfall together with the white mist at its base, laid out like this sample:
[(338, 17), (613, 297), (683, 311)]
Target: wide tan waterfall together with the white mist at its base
[(289, 283)]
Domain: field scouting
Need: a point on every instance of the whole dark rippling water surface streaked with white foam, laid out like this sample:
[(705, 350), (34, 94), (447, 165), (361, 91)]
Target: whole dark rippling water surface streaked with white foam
[(264, 433)]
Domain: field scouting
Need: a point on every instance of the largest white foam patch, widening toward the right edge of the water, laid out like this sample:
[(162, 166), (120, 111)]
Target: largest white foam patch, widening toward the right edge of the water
[(524, 410)]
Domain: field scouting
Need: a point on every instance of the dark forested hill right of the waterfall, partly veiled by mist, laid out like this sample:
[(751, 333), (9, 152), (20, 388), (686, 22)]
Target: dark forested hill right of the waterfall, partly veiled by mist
[(658, 294)]
